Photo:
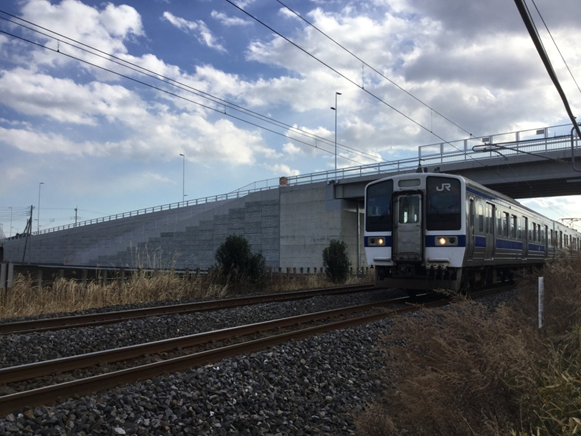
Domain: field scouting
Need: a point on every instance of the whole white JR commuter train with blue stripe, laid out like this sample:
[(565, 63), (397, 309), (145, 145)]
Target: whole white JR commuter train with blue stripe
[(425, 231)]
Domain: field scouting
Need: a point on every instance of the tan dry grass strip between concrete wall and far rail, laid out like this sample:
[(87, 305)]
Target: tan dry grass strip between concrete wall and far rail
[(68, 295)]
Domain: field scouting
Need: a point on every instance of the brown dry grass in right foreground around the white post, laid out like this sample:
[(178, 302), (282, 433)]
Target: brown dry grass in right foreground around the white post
[(464, 370)]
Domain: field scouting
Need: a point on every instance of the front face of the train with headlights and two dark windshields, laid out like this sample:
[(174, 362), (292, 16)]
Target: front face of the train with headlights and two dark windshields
[(415, 231)]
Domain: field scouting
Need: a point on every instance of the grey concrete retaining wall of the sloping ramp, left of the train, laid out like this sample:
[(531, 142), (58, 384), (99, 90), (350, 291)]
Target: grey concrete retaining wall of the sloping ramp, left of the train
[(290, 225)]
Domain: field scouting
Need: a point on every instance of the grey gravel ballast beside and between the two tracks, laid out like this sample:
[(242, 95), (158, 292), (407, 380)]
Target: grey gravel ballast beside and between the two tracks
[(310, 387)]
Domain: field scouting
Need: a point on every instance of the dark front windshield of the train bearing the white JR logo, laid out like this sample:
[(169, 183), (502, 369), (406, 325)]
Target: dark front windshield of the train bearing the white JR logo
[(443, 203)]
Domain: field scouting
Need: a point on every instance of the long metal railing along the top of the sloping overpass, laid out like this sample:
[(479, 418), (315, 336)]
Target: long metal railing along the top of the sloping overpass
[(505, 144)]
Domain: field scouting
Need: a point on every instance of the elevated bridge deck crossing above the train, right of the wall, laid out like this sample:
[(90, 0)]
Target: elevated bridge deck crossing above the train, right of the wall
[(547, 167)]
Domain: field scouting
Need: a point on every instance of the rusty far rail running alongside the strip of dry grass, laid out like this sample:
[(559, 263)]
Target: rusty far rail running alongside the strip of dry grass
[(94, 319)]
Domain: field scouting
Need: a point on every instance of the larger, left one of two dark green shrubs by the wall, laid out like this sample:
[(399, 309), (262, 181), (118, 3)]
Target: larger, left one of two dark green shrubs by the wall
[(238, 264)]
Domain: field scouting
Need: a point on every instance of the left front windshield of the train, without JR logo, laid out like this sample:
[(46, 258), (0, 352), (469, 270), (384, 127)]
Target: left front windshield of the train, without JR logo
[(379, 206)]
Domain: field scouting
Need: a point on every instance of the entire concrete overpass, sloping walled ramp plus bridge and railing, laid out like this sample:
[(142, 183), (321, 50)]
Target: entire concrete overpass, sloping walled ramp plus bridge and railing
[(294, 219)]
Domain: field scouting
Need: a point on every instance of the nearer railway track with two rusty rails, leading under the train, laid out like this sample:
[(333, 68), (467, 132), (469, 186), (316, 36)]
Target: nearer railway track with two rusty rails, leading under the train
[(301, 327)]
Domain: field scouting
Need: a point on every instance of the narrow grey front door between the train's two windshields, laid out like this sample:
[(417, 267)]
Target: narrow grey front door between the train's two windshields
[(407, 236)]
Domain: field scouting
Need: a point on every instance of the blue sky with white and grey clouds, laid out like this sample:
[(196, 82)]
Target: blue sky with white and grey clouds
[(100, 100)]
